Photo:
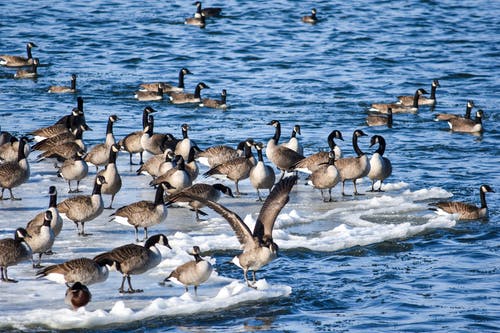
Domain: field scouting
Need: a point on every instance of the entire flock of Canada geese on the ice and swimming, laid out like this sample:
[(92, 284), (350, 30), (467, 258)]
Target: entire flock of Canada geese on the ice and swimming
[(173, 169)]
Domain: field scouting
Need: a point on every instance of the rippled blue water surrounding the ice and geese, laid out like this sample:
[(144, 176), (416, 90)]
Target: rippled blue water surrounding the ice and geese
[(322, 77)]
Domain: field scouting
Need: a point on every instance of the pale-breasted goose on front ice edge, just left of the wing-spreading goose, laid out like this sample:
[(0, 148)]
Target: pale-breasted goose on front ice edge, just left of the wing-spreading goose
[(192, 273)]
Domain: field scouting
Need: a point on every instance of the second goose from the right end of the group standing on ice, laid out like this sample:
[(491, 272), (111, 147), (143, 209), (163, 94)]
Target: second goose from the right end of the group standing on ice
[(353, 168)]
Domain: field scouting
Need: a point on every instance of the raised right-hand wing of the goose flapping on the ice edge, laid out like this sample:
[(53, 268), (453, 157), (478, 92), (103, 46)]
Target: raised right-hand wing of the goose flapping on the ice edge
[(276, 200)]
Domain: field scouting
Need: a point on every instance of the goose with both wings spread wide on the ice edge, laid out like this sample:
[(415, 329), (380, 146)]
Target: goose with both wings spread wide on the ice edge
[(258, 247)]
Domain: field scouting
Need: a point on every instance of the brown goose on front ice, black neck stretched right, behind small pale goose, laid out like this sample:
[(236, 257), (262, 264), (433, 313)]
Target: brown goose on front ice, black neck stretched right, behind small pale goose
[(135, 259)]
